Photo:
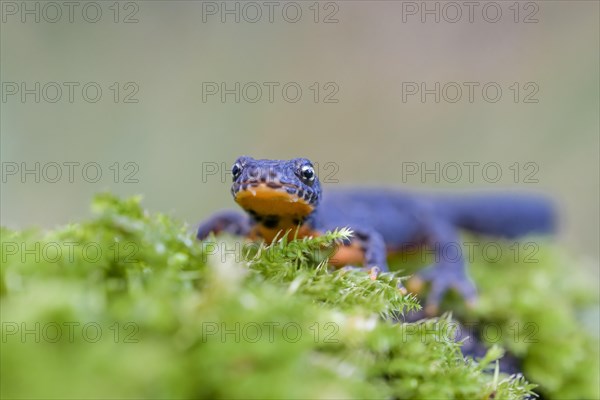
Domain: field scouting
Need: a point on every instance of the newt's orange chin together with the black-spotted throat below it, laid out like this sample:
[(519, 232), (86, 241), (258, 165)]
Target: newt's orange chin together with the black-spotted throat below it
[(275, 210)]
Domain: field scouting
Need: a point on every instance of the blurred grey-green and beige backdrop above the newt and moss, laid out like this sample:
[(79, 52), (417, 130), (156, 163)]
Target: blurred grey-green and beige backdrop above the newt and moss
[(161, 97)]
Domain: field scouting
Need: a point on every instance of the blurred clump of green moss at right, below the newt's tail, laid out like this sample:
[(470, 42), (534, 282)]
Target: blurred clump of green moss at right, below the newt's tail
[(541, 315)]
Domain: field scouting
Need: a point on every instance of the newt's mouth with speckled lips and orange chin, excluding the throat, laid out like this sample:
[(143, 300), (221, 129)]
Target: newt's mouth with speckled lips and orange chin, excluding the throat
[(273, 198)]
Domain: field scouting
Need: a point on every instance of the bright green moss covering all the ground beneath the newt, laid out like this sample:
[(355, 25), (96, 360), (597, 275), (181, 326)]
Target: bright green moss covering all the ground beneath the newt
[(130, 305)]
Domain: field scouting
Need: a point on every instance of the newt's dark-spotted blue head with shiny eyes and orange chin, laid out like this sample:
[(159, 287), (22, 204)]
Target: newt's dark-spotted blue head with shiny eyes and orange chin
[(277, 194)]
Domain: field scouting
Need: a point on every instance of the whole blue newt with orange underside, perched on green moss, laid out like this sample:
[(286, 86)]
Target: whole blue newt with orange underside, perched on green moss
[(282, 195)]
